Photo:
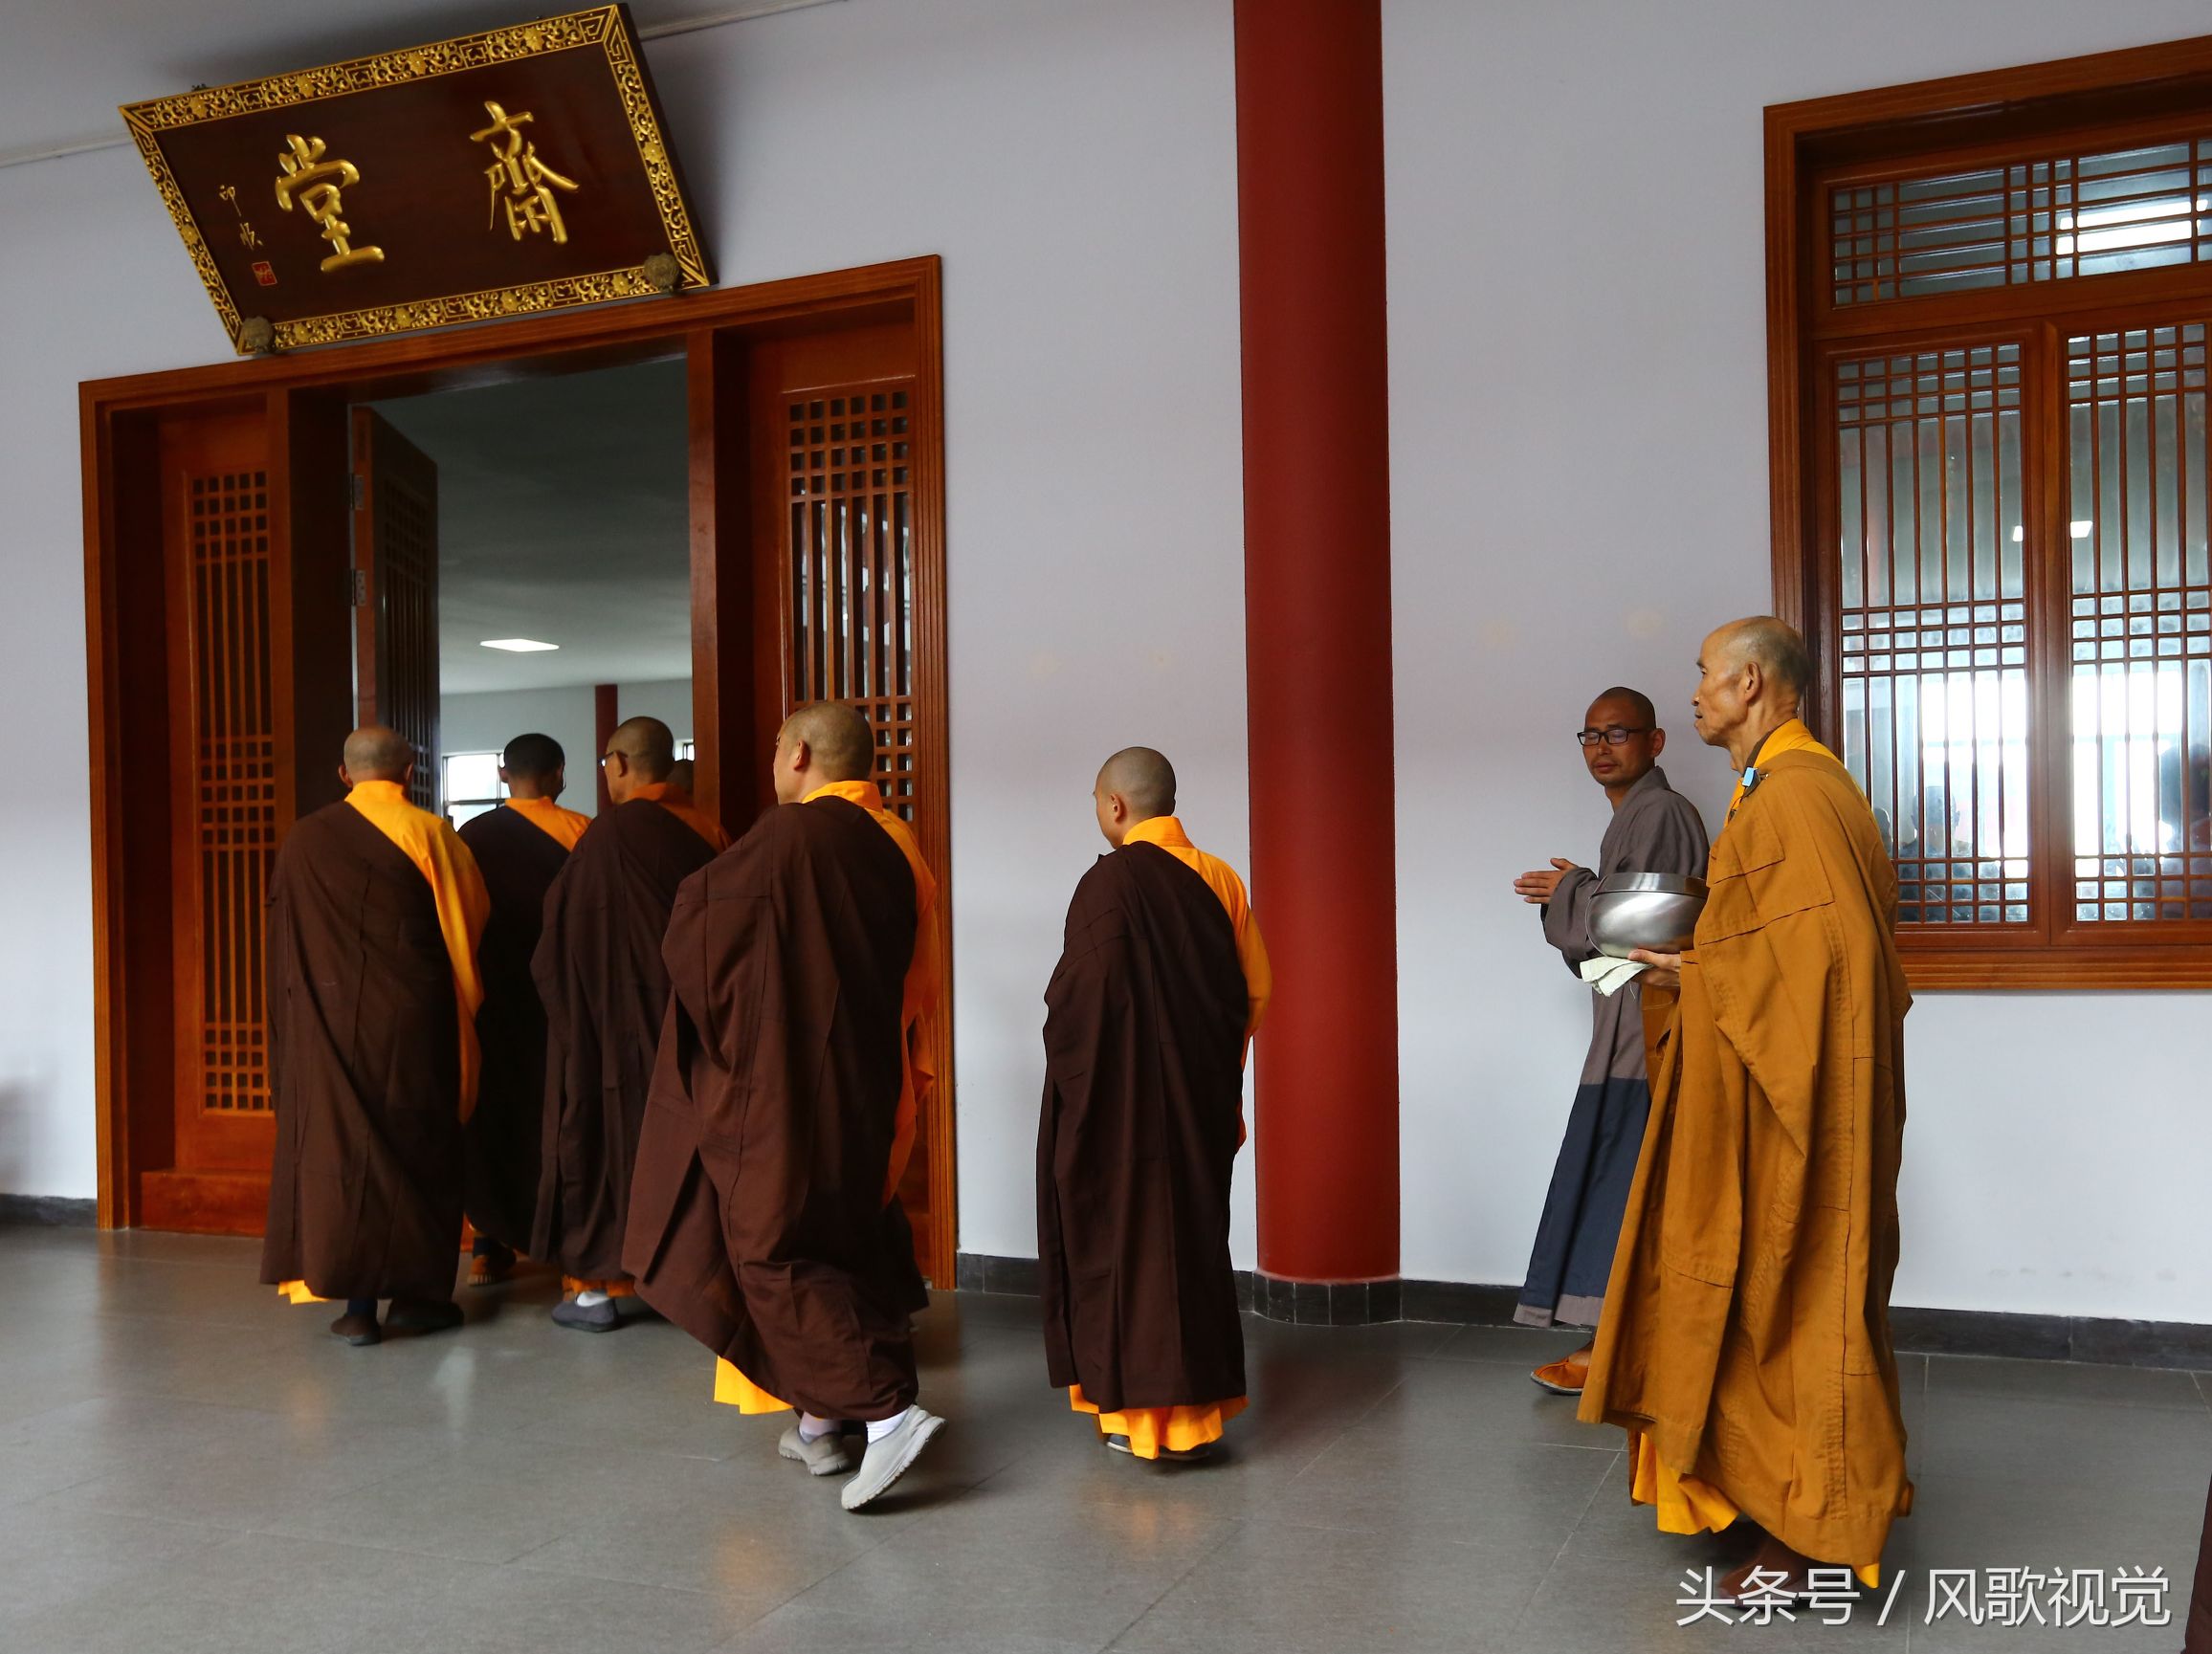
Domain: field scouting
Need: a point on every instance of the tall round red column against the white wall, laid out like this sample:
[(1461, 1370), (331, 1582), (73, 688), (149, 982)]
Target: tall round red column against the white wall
[(1317, 631)]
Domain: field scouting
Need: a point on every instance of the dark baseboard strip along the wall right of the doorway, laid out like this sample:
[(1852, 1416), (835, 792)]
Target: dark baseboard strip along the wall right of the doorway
[(1461, 1304)]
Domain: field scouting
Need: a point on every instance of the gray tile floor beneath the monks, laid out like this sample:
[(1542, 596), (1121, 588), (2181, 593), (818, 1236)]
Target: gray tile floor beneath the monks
[(189, 1465)]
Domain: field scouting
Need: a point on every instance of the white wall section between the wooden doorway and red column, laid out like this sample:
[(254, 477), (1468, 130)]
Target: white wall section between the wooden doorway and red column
[(1074, 163)]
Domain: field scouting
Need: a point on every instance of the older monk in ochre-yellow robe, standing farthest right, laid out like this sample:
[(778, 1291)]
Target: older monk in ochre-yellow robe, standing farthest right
[(1746, 1337)]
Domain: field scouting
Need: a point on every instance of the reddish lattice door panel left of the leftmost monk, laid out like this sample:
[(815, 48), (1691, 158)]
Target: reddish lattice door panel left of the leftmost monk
[(225, 724)]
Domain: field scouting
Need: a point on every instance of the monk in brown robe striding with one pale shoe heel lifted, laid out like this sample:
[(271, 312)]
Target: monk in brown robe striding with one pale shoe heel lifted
[(766, 1213)]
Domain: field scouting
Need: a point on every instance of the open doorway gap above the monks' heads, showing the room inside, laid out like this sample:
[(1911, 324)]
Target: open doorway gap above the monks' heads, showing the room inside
[(563, 574)]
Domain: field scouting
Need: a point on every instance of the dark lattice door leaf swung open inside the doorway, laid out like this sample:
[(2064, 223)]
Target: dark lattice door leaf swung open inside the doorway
[(397, 592)]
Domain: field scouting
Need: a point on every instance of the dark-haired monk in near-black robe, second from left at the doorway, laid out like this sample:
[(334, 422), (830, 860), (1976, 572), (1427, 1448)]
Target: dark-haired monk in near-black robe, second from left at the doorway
[(521, 850)]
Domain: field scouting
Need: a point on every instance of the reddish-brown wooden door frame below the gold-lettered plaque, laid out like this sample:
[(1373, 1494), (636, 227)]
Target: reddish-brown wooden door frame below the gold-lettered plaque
[(309, 392)]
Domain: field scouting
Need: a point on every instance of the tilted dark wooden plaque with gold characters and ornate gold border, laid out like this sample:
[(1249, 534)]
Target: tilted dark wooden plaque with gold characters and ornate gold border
[(494, 176)]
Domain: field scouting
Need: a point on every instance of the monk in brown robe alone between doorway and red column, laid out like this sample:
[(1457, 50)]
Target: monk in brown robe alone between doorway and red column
[(1160, 985)]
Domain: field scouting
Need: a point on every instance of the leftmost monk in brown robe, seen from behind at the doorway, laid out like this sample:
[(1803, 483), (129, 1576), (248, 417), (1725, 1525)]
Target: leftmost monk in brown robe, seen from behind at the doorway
[(375, 917)]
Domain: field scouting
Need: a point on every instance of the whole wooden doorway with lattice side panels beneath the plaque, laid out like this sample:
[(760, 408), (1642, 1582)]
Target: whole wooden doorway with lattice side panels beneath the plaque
[(264, 569)]
